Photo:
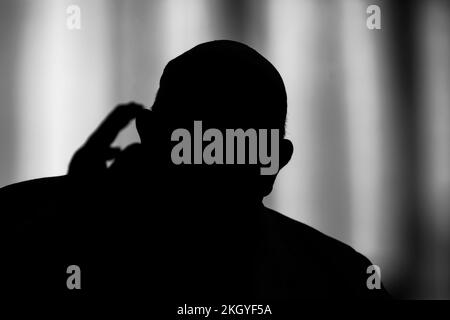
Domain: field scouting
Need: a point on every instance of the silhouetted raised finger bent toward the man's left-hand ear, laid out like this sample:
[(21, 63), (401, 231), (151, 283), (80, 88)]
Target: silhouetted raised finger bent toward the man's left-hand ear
[(108, 130)]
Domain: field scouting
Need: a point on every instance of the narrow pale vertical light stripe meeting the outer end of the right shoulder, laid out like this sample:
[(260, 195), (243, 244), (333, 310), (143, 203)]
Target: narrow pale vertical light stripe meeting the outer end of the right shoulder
[(364, 118)]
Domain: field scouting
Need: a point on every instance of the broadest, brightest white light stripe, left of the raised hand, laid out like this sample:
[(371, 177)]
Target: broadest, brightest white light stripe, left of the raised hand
[(64, 78)]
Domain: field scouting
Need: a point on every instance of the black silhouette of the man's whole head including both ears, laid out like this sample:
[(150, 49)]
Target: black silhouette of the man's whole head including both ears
[(226, 85)]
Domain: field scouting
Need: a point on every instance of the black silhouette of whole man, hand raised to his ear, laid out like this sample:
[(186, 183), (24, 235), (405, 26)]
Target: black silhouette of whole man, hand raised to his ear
[(192, 230)]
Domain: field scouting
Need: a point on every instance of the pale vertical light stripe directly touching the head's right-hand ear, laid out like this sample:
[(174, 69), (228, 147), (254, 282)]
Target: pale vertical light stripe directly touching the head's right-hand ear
[(290, 47)]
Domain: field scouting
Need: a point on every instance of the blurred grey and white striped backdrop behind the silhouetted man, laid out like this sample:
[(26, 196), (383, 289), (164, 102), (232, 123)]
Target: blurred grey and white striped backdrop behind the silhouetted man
[(369, 110)]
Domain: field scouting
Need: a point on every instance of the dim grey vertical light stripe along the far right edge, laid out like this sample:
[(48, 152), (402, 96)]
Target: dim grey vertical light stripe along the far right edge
[(435, 155)]
